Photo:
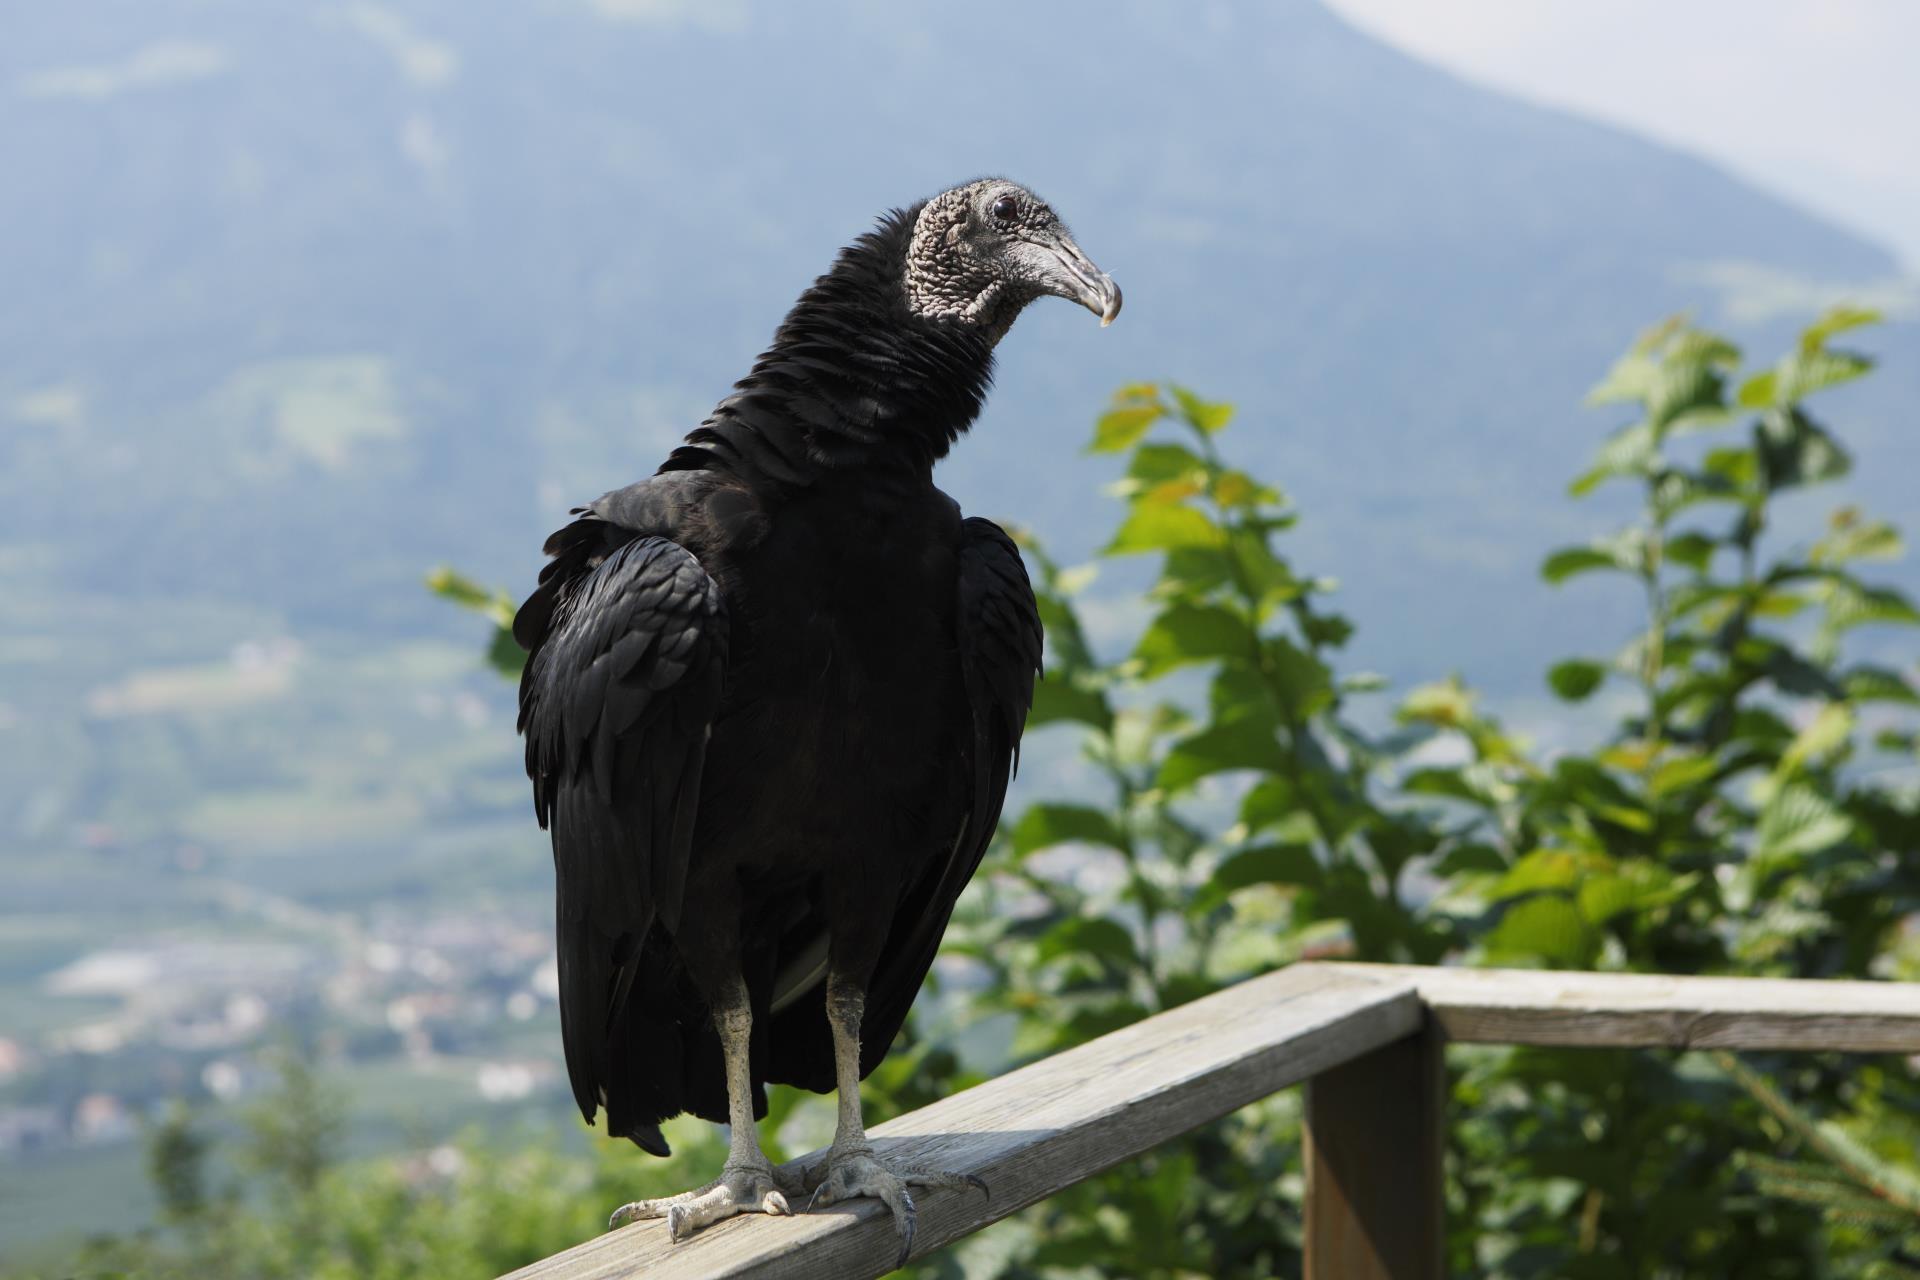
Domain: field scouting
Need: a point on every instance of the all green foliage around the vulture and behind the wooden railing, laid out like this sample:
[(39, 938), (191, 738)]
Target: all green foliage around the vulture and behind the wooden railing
[(1737, 795)]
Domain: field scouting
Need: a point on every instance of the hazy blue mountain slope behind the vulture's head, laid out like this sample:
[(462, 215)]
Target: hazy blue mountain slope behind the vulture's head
[(345, 291)]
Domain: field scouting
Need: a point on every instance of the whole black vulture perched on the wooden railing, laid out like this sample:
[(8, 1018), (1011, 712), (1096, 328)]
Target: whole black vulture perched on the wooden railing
[(773, 701)]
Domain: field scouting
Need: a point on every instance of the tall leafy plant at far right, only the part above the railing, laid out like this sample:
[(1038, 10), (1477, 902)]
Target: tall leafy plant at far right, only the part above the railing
[(1723, 794)]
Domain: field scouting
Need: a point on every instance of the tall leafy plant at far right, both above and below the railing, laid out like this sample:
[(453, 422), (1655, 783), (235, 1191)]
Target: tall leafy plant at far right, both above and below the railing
[(1739, 818)]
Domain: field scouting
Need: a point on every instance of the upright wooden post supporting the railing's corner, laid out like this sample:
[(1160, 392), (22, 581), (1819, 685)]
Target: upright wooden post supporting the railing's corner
[(1376, 1143)]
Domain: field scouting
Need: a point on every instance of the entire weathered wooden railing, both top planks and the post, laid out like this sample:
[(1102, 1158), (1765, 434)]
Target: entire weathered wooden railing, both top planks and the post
[(1368, 1043)]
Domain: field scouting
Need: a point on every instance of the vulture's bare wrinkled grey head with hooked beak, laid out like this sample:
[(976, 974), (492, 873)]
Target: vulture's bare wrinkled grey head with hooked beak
[(986, 250)]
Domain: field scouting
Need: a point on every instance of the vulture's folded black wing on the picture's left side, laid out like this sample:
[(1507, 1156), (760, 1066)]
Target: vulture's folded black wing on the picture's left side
[(627, 638)]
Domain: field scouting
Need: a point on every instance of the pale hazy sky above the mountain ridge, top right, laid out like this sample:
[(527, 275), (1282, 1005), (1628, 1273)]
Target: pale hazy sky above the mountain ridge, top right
[(1813, 99)]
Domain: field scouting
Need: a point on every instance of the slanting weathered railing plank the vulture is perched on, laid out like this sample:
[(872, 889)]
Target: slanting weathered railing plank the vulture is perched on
[(1044, 1127)]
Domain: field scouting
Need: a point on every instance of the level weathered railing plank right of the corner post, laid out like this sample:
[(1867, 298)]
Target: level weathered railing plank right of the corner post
[(1648, 1010)]
